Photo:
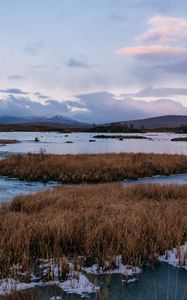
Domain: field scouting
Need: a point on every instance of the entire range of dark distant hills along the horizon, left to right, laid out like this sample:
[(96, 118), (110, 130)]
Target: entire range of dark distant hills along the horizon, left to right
[(60, 122)]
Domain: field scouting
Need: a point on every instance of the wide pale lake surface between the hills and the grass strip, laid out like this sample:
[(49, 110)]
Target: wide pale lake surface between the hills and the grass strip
[(53, 142)]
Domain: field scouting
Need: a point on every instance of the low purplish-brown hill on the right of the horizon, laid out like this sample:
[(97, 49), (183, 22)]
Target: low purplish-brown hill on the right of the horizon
[(169, 121)]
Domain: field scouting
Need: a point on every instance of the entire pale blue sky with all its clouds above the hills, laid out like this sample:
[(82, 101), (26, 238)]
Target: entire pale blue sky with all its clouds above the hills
[(96, 61)]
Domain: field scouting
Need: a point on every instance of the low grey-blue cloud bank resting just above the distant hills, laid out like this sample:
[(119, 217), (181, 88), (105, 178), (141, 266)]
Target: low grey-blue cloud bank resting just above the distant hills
[(98, 107)]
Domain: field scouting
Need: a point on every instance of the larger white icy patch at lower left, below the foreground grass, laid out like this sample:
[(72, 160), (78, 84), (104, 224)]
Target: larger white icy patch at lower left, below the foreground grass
[(76, 281)]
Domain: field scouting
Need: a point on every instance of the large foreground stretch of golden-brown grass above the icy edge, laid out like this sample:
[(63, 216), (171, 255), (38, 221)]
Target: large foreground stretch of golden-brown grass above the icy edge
[(92, 220)]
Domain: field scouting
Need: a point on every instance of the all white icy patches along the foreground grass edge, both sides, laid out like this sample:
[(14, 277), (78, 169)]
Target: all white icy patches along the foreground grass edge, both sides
[(76, 282)]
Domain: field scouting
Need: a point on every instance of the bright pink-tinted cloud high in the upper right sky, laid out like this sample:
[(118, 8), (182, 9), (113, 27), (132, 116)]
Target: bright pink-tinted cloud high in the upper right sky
[(159, 41)]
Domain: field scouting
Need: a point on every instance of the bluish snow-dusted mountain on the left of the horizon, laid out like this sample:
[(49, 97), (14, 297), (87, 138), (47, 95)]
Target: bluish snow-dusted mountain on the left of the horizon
[(54, 120)]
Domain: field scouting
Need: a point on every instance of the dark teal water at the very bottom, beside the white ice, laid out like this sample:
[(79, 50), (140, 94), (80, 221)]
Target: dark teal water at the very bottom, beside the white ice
[(165, 282)]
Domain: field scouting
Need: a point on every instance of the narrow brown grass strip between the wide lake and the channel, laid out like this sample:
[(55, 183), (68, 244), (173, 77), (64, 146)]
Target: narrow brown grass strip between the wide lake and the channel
[(94, 168)]
